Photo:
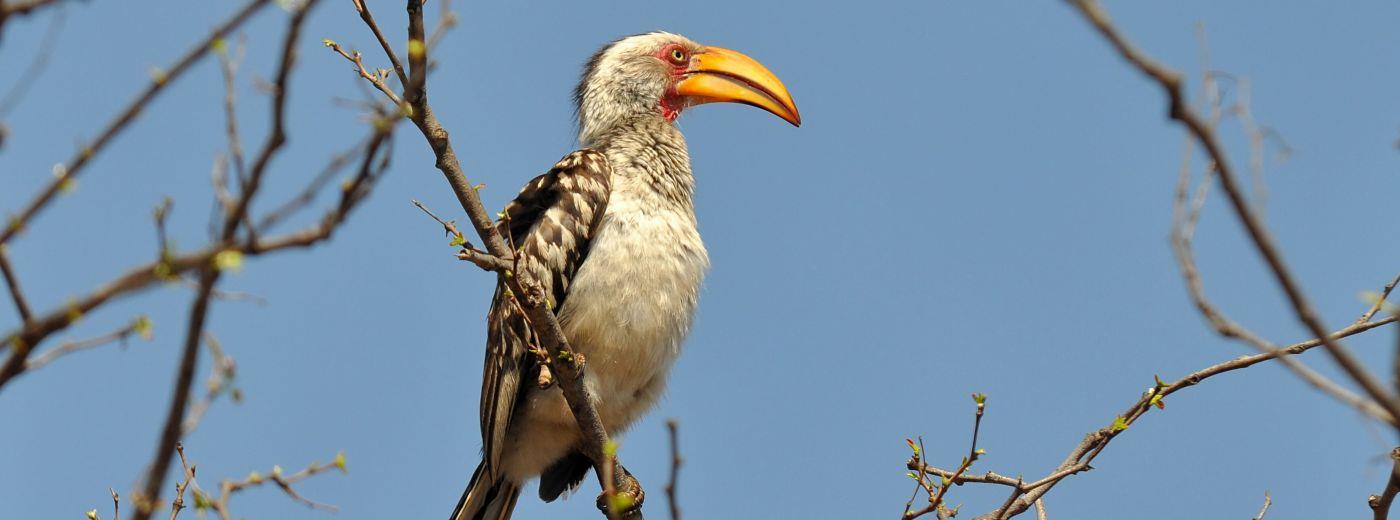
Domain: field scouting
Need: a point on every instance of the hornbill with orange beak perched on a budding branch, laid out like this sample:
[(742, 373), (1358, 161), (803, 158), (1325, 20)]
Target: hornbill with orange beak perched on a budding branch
[(610, 232)]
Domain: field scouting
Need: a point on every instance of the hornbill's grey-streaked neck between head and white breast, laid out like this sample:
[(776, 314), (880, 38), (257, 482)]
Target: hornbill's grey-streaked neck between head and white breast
[(649, 159)]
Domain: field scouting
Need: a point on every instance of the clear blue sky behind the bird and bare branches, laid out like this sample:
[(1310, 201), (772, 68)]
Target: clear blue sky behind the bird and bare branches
[(979, 201)]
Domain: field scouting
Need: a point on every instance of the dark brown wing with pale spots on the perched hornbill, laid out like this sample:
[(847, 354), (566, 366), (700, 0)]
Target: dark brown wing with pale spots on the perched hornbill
[(549, 226)]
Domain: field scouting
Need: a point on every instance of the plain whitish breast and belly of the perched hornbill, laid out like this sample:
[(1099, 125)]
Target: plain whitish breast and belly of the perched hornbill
[(633, 301)]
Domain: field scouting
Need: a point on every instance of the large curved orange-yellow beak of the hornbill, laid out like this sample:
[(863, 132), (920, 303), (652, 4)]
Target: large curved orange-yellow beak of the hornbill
[(727, 76)]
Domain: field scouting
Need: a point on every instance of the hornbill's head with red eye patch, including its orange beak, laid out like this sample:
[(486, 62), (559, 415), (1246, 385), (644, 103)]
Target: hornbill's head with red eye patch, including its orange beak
[(661, 75)]
